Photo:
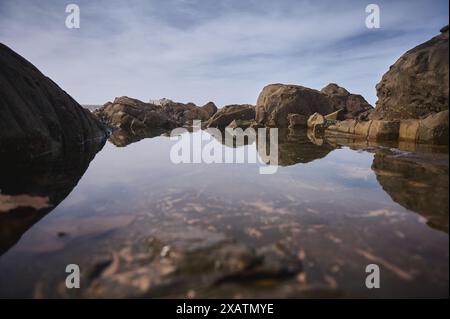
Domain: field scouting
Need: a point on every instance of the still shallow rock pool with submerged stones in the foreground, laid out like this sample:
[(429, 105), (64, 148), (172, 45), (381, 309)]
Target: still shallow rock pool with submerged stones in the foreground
[(140, 226)]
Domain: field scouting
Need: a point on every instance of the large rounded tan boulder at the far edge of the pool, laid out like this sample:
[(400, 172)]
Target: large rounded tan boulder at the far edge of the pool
[(277, 101)]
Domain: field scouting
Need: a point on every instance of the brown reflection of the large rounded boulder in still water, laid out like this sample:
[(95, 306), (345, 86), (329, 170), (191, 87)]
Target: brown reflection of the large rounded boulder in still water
[(295, 147)]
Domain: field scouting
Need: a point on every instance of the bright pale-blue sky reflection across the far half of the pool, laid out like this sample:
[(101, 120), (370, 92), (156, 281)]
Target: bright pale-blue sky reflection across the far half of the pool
[(122, 180)]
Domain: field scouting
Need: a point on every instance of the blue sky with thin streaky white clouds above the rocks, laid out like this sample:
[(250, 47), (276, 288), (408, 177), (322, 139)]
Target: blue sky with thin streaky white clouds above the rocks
[(223, 51)]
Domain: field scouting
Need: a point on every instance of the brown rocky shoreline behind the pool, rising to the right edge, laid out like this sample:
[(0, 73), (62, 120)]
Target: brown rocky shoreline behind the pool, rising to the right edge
[(412, 106)]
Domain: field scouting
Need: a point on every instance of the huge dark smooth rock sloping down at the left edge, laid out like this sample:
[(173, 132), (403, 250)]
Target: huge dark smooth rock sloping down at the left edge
[(37, 116)]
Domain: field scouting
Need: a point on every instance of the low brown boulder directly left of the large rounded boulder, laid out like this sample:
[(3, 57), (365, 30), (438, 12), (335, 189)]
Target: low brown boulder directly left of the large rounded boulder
[(227, 114)]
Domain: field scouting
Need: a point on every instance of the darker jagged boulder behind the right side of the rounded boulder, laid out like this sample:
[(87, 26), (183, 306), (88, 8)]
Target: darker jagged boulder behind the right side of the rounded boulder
[(351, 105)]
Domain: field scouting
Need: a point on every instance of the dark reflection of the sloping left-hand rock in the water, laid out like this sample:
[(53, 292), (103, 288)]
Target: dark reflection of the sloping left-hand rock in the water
[(30, 191)]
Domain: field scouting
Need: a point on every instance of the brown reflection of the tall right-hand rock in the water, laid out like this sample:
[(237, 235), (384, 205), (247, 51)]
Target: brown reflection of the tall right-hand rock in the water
[(418, 182)]
